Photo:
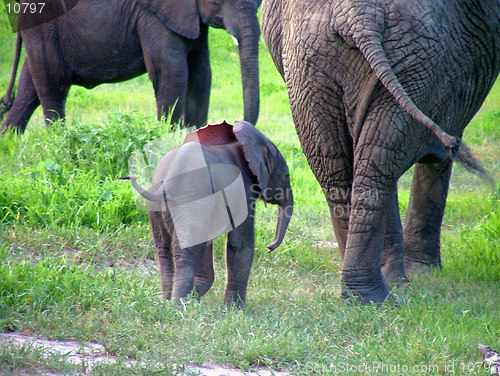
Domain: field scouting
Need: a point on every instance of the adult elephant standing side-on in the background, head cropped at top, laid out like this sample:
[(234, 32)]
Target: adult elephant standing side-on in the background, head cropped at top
[(101, 42)]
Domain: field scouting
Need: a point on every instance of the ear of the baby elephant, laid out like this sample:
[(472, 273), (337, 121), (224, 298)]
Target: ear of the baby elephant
[(259, 151)]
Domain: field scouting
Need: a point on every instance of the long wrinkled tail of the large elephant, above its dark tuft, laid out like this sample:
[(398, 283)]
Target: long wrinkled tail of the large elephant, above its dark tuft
[(372, 50)]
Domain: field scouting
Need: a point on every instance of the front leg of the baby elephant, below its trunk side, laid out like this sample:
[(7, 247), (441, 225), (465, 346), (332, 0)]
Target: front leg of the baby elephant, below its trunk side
[(239, 259)]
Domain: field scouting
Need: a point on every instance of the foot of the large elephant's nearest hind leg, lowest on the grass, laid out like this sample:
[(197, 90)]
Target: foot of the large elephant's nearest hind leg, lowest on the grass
[(366, 290)]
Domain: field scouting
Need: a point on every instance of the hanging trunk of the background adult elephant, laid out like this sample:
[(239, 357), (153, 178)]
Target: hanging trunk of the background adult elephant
[(244, 26)]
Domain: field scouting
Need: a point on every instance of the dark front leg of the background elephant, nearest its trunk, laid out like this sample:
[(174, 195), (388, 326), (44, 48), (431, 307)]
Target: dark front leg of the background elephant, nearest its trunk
[(198, 91)]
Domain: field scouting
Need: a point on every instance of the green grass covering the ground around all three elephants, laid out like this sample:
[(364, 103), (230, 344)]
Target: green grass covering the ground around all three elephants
[(77, 257)]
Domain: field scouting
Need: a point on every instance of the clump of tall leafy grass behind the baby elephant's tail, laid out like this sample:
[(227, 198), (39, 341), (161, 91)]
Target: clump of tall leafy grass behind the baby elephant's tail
[(85, 158)]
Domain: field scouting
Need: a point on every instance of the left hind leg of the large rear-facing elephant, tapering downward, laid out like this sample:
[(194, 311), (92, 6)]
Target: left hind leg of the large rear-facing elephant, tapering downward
[(324, 136)]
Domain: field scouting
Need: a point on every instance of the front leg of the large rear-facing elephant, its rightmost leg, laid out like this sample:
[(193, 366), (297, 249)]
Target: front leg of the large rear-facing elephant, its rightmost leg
[(422, 230)]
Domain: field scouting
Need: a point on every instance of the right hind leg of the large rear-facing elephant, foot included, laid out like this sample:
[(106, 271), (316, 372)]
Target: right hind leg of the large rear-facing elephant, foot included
[(380, 159)]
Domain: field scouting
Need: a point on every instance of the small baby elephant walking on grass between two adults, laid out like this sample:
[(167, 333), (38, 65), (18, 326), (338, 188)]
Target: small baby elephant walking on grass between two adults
[(207, 187)]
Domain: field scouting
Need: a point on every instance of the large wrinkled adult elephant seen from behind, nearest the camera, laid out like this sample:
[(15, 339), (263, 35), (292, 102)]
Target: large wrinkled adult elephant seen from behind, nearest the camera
[(360, 77)]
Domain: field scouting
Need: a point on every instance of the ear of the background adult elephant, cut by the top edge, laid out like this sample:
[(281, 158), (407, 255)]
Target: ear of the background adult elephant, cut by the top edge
[(180, 16)]
